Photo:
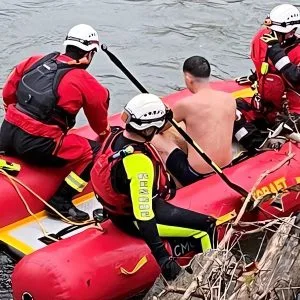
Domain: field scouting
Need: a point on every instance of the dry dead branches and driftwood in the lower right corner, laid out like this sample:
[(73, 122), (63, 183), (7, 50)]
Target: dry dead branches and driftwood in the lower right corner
[(227, 273)]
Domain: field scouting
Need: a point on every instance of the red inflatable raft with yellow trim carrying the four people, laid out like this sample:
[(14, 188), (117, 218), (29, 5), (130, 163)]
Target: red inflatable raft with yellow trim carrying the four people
[(97, 265)]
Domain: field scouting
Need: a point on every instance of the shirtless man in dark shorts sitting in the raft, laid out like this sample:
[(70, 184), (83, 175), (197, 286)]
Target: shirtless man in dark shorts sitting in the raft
[(208, 116)]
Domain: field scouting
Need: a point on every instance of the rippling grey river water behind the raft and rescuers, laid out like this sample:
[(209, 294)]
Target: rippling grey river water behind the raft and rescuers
[(151, 37)]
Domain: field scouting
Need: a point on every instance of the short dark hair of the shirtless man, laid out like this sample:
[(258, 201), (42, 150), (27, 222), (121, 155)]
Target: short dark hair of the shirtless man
[(197, 66)]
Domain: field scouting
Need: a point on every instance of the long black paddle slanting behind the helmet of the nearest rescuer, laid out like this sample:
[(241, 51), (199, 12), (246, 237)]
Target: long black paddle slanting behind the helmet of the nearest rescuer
[(188, 139)]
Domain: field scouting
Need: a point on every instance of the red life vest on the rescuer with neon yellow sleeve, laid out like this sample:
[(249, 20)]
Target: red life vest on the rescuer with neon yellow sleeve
[(114, 202)]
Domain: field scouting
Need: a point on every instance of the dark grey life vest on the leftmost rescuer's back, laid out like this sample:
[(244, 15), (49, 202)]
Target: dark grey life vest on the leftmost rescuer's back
[(37, 94)]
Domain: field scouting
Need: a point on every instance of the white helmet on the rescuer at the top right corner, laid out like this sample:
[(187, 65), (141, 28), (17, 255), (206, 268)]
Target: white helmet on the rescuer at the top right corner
[(284, 18)]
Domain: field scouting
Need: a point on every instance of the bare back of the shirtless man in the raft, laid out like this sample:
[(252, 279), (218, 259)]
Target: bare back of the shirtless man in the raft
[(208, 116)]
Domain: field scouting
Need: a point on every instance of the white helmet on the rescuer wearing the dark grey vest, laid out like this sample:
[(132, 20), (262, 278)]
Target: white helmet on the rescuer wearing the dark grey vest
[(83, 36)]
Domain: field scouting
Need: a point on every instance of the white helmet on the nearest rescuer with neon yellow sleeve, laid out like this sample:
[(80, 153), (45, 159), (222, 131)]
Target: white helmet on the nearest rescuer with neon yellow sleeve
[(144, 111)]
